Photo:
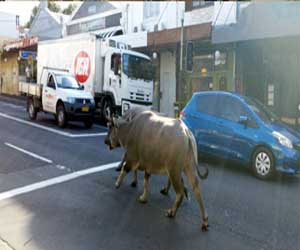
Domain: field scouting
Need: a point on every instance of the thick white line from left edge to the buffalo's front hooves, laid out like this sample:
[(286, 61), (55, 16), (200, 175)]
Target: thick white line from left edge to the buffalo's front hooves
[(55, 180)]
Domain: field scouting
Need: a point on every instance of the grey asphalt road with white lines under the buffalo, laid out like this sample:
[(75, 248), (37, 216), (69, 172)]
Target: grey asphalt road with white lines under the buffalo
[(49, 201)]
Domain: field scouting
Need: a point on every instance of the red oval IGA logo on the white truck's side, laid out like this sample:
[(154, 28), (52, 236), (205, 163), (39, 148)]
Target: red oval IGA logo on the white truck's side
[(82, 66)]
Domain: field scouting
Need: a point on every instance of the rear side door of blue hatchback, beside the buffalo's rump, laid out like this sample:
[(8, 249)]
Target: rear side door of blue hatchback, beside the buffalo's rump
[(203, 122)]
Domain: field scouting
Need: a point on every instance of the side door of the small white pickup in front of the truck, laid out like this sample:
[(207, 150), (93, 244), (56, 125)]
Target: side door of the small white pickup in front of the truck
[(49, 95)]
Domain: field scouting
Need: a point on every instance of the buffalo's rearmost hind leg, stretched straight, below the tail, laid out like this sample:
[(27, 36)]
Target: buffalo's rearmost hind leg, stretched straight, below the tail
[(194, 182)]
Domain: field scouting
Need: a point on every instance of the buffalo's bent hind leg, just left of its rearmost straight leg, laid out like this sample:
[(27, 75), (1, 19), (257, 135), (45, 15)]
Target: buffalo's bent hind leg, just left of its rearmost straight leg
[(178, 186)]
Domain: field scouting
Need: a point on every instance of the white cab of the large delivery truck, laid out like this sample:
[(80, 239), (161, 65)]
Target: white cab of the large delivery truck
[(128, 81)]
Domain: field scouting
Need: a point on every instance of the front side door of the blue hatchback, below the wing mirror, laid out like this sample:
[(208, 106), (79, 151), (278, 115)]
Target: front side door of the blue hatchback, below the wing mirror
[(236, 138)]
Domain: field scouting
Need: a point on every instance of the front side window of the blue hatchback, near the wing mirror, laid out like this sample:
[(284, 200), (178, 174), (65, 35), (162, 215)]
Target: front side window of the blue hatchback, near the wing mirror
[(231, 109)]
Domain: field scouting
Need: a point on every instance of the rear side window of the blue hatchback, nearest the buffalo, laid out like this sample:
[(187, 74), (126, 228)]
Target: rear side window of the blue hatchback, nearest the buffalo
[(207, 104)]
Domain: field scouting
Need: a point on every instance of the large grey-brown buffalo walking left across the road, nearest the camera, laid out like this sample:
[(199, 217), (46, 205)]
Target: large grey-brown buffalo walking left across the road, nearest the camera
[(159, 145)]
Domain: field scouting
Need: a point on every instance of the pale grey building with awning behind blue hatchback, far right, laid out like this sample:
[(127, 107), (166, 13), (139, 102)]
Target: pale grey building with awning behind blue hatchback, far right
[(265, 39)]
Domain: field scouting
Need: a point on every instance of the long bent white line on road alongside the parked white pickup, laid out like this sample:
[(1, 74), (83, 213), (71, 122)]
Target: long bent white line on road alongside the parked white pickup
[(51, 129)]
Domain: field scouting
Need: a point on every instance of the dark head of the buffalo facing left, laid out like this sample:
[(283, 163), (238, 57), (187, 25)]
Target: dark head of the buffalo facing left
[(112, 139)]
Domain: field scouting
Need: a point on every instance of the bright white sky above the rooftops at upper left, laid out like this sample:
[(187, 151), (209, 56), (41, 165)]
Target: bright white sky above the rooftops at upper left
[(24, 8)]
